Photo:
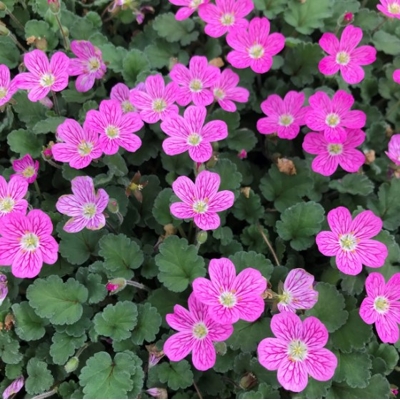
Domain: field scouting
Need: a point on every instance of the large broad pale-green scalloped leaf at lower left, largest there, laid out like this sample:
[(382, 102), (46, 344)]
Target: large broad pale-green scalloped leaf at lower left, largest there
[(60, 302)]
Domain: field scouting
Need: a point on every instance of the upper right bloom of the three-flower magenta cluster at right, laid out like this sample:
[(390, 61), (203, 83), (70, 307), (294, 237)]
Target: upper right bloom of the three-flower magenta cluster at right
[(333, 116)]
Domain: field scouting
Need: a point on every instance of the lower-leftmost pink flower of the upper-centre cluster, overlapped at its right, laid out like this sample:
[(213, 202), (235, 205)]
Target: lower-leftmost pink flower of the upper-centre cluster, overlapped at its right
[(79, 147)]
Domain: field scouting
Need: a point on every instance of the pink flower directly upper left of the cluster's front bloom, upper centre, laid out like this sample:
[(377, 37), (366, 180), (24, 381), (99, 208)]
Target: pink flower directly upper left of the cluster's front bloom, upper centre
[(157, 101)]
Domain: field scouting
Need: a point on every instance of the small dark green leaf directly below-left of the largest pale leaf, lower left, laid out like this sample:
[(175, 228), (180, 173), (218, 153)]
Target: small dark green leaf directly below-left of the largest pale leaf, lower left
[(28, 326)]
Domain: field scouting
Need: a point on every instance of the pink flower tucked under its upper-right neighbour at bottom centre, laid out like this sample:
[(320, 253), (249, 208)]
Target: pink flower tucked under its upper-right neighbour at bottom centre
[(196, 333)]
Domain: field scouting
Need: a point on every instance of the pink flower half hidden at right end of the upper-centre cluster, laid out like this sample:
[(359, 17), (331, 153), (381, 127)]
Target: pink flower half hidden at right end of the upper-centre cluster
[(225, 91)]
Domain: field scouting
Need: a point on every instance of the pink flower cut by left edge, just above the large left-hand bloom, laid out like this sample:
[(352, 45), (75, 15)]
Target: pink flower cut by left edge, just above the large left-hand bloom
[(12, 195)]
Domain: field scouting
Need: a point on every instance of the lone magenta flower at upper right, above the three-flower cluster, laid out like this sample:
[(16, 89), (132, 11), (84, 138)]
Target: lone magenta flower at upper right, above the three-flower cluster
[(344, 56)]
